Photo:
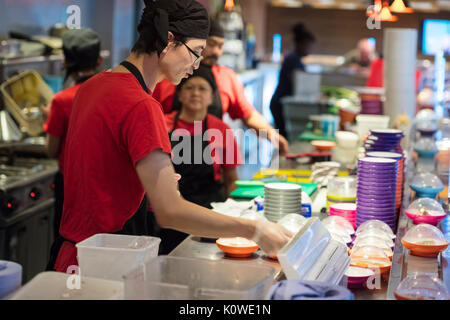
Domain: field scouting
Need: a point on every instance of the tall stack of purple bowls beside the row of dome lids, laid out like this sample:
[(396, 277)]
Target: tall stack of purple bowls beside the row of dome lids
[(376, 189)]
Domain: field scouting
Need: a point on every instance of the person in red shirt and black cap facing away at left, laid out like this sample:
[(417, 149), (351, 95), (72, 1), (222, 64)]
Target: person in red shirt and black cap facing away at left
[(81, 49)]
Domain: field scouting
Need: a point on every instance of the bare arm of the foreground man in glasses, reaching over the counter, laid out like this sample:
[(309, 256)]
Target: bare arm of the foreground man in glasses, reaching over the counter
[(172, 211)]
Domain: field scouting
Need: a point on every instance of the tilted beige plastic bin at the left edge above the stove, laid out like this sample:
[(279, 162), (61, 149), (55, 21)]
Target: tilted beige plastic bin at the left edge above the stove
[(24, 95)]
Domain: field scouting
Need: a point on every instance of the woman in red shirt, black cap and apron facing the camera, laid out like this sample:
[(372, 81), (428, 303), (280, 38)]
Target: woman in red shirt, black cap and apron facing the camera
[(211, 179)]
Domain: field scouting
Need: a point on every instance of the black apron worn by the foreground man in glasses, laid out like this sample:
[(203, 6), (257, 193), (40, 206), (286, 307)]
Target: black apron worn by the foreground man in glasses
[(137, 225)]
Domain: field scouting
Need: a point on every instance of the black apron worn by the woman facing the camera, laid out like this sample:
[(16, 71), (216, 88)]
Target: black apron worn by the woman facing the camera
[(197, 185)]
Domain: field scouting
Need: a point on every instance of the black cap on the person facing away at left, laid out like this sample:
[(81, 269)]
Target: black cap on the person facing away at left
[(81, 50)]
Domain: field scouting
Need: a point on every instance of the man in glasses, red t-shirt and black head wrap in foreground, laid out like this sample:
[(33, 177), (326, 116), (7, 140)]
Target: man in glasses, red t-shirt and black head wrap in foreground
[(118, 149)]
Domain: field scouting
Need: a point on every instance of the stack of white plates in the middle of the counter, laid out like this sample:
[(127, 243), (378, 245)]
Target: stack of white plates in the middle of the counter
[(281, 199)]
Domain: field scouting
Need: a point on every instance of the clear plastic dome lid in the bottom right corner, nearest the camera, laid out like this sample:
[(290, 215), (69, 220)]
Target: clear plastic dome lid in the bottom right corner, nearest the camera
[(421, 287)]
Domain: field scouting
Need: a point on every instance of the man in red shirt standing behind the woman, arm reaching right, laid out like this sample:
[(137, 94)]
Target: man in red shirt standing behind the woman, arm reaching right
[(230, 97)]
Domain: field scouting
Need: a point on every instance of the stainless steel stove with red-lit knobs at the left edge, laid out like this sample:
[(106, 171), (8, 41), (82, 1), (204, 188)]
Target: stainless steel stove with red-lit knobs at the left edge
[(26, 212)]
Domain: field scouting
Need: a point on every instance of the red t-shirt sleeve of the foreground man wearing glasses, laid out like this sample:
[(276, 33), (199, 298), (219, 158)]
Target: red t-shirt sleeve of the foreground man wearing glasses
[(145, 130)]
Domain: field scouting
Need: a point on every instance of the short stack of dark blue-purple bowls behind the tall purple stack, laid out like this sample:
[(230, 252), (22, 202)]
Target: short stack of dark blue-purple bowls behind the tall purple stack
[(384, 140)]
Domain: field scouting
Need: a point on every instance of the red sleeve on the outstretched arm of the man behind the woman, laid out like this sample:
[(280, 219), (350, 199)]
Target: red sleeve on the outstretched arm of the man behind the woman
[(240, 107)]
